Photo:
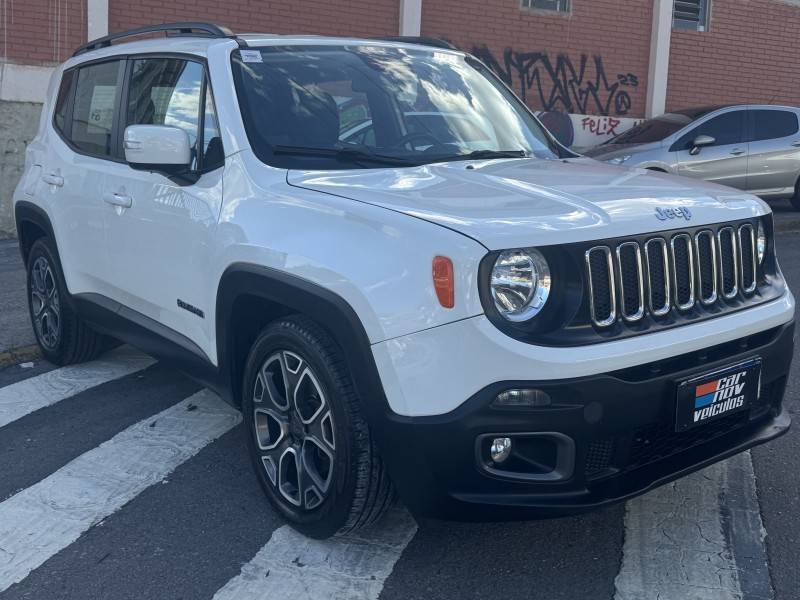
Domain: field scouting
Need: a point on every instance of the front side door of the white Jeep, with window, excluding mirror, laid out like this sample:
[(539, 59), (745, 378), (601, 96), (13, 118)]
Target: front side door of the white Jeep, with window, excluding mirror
[(160, 228)]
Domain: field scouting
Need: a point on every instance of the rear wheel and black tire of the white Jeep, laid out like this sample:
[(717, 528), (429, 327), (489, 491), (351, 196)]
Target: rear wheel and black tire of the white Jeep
[(62, 336)]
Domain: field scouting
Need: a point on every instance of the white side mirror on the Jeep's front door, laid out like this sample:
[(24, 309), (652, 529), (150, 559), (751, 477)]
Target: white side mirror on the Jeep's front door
[(159, 148)]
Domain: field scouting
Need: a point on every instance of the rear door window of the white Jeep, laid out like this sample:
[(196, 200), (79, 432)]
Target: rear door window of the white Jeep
[(93, 116)]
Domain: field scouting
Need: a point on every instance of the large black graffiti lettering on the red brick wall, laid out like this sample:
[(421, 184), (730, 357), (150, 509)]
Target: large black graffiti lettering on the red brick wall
[(561, 84)]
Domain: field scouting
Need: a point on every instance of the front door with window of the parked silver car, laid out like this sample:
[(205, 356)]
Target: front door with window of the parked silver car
[(724, 161)]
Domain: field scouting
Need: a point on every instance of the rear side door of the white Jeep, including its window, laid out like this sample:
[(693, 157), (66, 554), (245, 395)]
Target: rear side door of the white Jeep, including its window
[(73, 170)]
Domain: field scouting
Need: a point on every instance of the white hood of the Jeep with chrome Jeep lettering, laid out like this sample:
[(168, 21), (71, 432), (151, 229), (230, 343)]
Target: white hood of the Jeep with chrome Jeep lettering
[(523, 202)]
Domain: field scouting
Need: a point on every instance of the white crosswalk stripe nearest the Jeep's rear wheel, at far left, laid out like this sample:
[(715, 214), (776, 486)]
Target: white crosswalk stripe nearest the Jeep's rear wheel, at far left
[(29, 395)]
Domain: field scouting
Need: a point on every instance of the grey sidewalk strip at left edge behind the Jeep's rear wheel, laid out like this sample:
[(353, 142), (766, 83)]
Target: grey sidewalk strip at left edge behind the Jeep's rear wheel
[(16, 336)]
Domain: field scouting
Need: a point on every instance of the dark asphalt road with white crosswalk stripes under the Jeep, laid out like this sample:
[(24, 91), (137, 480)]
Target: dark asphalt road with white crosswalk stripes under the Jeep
[(125, 480)]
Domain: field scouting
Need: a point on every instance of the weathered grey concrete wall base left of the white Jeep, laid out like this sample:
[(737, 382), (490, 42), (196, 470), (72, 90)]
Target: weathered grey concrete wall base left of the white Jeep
[(18, 124)]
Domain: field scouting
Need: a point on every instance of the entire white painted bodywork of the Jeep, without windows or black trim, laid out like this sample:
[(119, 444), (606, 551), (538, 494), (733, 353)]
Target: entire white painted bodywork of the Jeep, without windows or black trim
[(369, 236)]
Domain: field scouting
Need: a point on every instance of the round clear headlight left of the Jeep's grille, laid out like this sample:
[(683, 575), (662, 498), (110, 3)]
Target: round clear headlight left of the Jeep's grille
[(520, 284)]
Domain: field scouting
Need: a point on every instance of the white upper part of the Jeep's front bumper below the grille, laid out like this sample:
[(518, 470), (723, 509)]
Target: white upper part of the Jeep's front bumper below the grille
[(433, 372)]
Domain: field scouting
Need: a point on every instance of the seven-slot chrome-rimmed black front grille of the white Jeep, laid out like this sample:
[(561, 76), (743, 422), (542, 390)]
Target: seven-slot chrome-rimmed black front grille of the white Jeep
[(678, 271)]
